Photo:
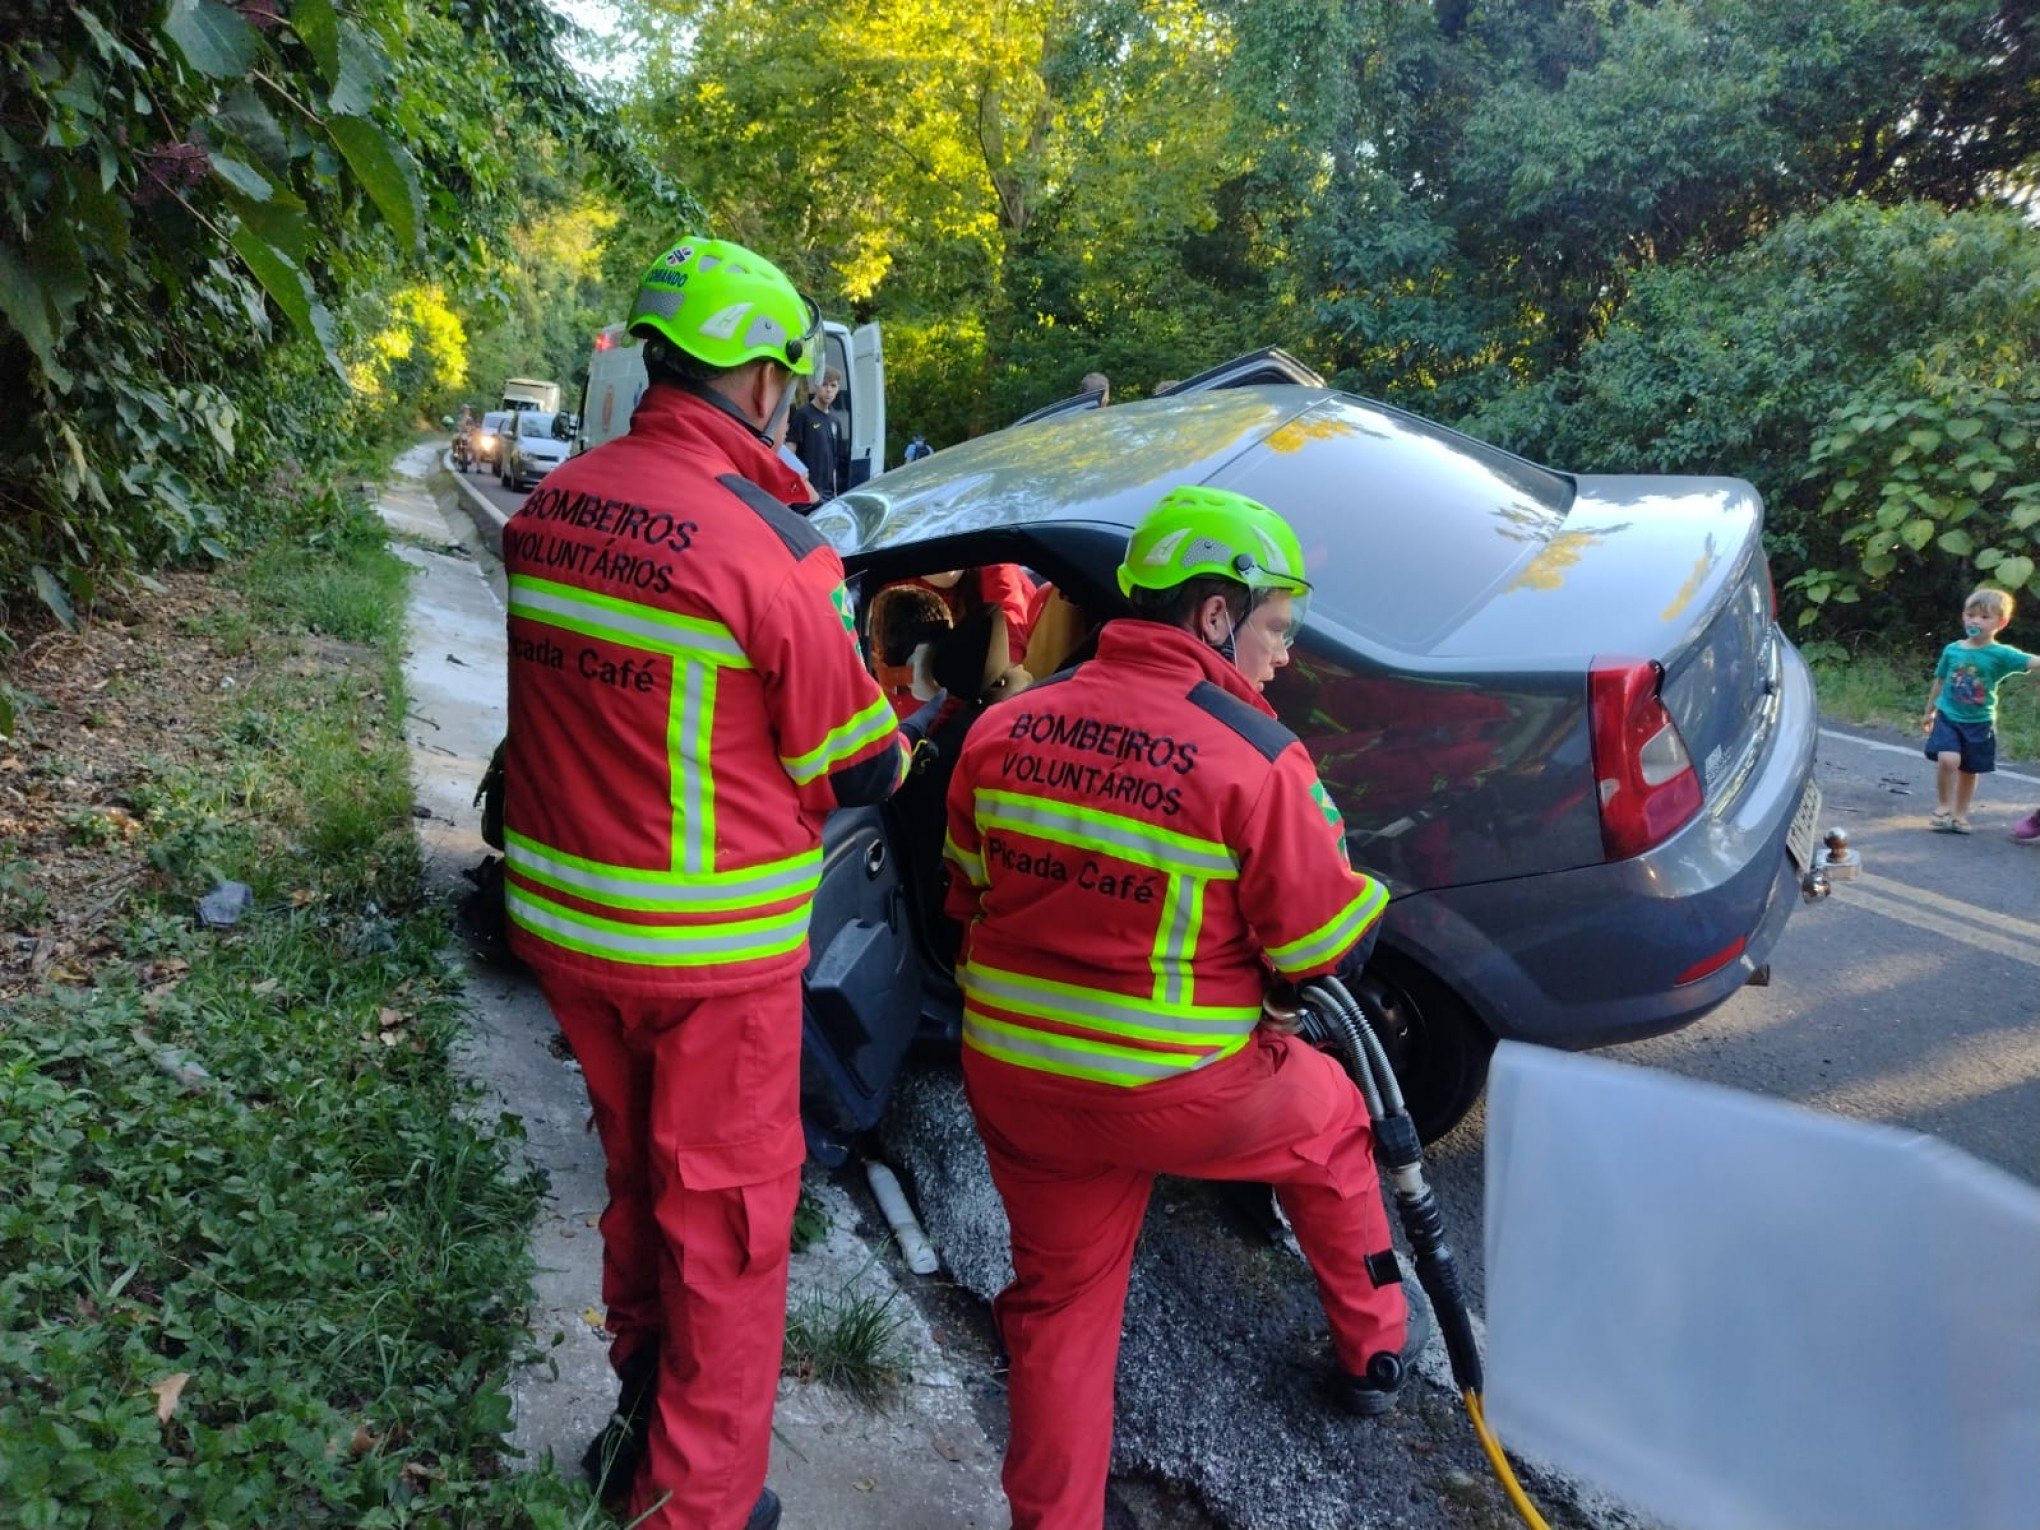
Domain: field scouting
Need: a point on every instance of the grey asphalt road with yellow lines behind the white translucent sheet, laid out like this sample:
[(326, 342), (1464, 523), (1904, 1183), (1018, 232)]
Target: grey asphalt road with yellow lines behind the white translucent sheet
[(1912, 997)]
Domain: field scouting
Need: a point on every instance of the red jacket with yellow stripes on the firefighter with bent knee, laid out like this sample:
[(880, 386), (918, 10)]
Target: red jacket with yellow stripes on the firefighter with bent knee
[(1133, 846)]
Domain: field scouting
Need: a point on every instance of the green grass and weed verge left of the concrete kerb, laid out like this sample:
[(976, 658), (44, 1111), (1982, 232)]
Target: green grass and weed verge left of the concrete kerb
[(260, 1262)]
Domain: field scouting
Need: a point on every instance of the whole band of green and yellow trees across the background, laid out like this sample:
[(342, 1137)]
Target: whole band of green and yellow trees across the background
[(1682, 234)]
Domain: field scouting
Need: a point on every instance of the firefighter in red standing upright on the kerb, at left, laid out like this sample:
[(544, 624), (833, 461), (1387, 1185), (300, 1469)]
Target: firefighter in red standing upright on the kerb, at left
[(686, 707)]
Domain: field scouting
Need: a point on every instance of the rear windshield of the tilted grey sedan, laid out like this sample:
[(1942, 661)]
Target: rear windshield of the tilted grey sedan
[(1405, 525)]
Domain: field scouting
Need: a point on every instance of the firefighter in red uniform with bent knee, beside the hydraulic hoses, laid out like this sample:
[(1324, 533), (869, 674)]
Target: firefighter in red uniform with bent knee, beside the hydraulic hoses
[(1137, 850)]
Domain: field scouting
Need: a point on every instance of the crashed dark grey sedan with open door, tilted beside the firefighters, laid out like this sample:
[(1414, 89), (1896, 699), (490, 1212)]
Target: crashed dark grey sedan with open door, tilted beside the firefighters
[(1555, 711)]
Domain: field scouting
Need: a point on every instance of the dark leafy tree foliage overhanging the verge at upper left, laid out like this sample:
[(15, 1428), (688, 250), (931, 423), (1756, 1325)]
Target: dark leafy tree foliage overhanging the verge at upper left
[(197, 199)]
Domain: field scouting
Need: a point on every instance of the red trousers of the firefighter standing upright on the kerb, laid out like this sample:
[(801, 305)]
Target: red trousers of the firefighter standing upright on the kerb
[(699, 1109)]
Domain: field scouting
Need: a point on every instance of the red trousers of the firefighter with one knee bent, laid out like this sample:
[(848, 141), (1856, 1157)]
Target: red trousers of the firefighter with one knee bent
[(1076, 1164)]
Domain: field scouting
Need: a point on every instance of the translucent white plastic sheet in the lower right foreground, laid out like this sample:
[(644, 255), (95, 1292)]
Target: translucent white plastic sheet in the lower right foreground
[(1739, 1315)]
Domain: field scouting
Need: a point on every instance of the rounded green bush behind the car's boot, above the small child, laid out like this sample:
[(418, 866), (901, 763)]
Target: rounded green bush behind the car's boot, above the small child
[(1839, 364)]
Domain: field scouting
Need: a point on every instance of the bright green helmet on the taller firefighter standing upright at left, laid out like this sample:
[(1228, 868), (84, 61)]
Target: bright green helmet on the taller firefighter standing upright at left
[(725, 305)]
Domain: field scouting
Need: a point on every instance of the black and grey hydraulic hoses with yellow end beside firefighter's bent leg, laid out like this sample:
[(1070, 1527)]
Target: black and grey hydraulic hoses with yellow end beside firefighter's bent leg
[(1335, 1021)]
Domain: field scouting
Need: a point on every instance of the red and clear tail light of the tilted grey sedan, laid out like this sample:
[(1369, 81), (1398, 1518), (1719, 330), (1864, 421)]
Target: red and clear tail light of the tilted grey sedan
[(1647, 782)]
